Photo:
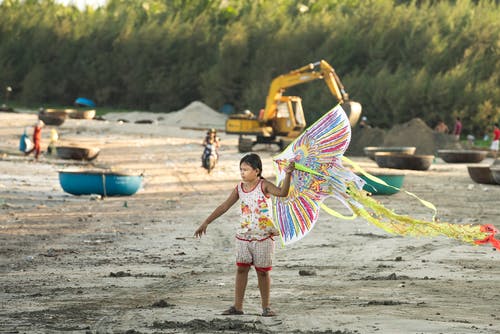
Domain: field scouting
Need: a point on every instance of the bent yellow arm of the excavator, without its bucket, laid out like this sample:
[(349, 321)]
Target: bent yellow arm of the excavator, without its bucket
[(310, 72)]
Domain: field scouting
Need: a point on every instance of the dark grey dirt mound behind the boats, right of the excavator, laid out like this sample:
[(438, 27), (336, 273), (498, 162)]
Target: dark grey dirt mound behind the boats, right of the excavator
[(413, 133)]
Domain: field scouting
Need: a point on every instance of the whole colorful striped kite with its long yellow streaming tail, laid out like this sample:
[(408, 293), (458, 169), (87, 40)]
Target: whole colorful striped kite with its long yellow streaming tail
[(318, 156)]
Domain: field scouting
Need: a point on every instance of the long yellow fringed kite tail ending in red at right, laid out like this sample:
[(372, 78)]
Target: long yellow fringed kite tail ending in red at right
[(393, 223)]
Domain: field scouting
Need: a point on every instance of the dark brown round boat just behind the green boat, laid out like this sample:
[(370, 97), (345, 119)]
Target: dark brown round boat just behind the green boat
[(403, 161)]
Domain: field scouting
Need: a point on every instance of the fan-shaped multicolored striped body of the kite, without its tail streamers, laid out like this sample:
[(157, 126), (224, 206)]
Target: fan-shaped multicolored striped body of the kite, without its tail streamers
[(317, 154)]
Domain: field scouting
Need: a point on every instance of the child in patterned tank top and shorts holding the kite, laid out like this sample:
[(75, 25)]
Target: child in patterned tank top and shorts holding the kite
[(254, 238)]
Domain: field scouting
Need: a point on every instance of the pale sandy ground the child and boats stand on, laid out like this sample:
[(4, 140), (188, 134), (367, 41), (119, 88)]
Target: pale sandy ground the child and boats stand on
[(130, 264)]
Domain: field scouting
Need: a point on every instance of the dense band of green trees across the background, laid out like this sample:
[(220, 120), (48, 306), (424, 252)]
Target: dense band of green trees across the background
[(400, 58)]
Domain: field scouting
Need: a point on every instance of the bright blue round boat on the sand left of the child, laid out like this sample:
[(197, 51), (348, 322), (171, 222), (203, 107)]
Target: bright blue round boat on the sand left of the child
[(100, 182)]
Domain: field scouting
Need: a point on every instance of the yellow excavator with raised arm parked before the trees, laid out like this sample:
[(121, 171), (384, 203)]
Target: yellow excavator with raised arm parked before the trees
[(283, 119)]
